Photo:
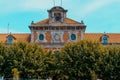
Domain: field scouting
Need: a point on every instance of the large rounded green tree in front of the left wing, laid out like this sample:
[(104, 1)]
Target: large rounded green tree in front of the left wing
[(27, 58)]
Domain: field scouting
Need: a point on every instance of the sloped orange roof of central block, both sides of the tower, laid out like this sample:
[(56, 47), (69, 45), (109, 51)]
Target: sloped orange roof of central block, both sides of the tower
[(68, 21)]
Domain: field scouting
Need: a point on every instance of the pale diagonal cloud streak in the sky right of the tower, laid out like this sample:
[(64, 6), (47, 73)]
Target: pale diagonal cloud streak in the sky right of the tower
[(95, 5)]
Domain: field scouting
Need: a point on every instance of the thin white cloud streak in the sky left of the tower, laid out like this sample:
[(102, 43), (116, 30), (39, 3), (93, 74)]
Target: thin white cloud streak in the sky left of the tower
[(9, 6)]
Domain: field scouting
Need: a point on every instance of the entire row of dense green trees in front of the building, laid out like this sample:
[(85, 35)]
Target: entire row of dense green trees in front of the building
[(77, 60)]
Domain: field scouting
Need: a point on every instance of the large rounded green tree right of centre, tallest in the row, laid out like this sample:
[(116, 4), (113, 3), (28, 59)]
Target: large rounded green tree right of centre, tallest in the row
[(79, 60)]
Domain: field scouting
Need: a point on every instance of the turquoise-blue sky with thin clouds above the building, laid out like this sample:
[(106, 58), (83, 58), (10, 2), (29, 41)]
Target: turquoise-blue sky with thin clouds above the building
[(99, 15)]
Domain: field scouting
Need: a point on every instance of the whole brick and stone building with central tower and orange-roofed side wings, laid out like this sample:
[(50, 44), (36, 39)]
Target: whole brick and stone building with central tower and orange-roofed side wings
[(57, 30)]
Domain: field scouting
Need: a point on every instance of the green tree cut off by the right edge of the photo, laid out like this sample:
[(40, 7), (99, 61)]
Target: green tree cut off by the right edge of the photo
[(110, 67)]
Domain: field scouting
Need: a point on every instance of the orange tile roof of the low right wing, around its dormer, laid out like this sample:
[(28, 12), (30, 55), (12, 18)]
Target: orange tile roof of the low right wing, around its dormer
[(112, 37)]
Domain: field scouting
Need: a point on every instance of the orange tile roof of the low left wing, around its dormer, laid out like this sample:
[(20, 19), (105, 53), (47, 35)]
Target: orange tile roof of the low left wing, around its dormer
[(25, 37)]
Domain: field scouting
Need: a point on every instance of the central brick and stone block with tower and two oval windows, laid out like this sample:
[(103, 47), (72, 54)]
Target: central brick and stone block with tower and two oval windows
[(57, 29)]
